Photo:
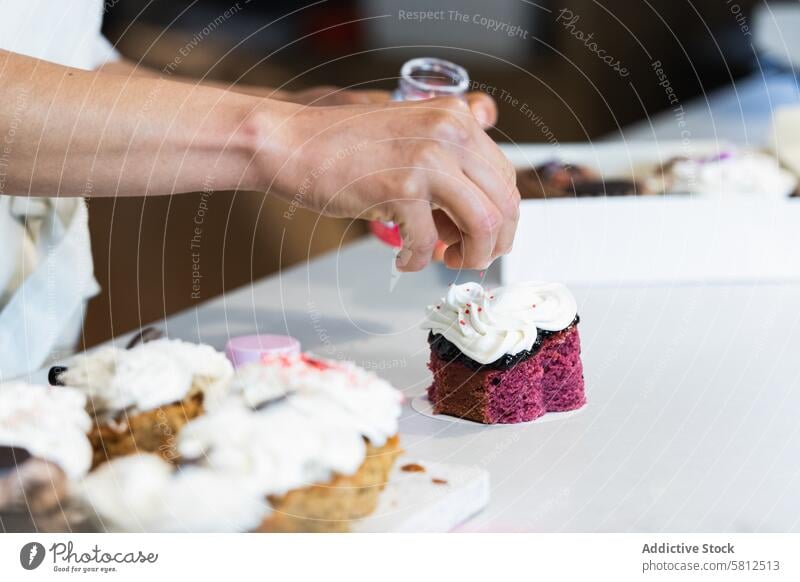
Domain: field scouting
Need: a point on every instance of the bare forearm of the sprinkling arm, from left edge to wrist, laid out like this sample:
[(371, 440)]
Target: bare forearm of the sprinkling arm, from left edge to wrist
[(69, 132)]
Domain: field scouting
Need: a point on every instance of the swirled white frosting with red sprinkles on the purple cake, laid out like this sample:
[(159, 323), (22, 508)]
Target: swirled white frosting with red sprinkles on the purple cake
[(488, 324)]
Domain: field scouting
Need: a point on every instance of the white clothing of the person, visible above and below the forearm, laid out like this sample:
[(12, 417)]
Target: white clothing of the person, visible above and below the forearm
[(33, 327)]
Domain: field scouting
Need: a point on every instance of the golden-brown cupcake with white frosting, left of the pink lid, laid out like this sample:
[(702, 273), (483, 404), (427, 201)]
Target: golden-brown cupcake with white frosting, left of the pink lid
[(141, 397)]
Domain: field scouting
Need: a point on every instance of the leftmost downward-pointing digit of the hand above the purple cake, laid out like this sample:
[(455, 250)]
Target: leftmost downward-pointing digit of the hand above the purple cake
[(419, 234)]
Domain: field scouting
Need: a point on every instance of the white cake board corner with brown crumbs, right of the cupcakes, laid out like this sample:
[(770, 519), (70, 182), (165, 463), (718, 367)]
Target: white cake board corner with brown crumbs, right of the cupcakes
[(438, 499)]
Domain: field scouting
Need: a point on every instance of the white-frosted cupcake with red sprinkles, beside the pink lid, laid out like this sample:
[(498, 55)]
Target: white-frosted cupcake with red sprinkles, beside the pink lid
[(317, 438)]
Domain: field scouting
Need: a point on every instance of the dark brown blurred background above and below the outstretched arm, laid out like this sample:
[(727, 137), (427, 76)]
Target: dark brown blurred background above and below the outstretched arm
[(550, 82)]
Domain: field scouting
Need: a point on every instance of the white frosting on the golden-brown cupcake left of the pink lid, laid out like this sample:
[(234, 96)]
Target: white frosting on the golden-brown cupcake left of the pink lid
[(149, 375)]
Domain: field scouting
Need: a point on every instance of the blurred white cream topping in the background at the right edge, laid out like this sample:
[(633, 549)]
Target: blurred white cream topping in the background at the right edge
[(730, 173)]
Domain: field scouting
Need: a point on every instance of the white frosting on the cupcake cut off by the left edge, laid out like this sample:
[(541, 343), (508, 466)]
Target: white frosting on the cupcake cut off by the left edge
[(51, 423)]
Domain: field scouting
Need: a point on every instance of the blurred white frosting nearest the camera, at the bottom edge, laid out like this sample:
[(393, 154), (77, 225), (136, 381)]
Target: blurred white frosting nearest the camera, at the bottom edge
[(143, 493)]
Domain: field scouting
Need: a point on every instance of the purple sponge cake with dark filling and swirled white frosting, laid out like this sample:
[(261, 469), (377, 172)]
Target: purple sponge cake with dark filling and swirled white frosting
[(507, 355)]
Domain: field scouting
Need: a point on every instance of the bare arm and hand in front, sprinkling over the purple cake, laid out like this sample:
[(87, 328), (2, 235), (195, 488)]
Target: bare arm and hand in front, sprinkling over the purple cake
[(427, 165)]
